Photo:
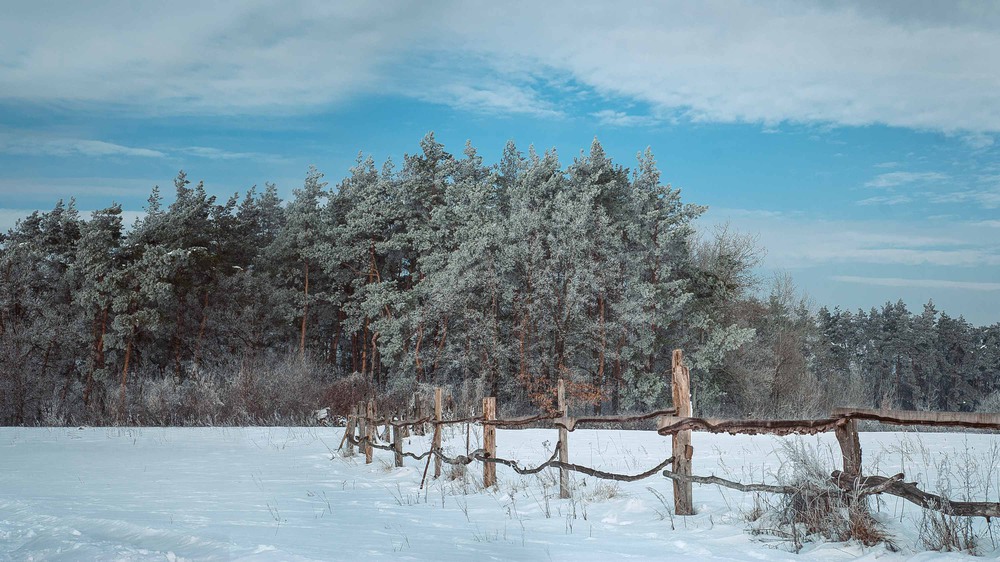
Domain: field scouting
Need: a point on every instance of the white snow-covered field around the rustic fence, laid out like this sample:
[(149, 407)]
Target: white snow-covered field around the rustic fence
[(285, 494)]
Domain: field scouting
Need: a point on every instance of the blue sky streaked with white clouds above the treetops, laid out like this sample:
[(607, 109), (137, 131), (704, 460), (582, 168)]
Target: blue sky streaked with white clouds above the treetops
[(857, 142)]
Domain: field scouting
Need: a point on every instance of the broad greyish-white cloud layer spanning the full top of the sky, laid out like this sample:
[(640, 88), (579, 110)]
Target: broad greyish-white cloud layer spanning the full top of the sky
[(918, 66)]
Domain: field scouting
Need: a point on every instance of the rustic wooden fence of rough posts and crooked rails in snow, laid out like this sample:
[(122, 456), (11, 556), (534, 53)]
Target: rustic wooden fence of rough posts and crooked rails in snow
[(678, 423)]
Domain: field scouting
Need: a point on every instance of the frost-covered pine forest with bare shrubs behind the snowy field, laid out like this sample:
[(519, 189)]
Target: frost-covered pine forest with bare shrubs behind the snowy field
[(485, 279)]
